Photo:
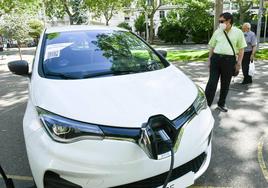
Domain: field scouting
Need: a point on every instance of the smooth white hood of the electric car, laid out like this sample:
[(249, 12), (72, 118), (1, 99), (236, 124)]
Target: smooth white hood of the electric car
[(121, 101)]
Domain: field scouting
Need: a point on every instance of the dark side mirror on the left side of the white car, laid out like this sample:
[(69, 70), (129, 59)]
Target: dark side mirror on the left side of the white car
[(19, 67)]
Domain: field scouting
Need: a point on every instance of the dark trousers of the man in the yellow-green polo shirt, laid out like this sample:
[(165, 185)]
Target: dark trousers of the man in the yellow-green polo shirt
[(221, 66)]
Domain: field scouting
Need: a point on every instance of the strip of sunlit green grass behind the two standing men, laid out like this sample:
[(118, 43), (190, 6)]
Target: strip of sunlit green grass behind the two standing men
[(202, 55)]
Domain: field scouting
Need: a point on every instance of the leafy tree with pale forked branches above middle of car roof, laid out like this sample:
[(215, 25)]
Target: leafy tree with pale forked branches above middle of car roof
[(106, 8)]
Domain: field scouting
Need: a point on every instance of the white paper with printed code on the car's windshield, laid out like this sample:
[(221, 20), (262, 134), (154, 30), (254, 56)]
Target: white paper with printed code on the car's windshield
[(53, 50)]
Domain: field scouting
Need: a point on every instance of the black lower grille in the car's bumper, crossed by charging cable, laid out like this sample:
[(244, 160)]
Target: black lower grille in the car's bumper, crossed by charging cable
[(193, 165)]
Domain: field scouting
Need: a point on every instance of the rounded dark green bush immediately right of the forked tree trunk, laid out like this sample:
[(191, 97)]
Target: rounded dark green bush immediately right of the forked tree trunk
[(172, 29)]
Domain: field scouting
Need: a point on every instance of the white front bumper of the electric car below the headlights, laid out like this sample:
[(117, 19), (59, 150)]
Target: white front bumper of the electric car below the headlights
[(111, 163)]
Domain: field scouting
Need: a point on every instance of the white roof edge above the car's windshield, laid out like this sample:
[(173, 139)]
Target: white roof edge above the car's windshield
[(82, 28)]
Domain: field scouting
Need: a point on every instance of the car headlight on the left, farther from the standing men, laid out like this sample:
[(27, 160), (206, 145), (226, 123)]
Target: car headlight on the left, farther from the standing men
[(62, 129)]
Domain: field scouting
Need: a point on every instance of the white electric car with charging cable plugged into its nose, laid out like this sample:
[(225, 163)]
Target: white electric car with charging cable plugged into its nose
[(107, 110)]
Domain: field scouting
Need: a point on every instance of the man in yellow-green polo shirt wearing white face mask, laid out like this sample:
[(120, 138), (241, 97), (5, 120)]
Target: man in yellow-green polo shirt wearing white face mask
[(222, 60)]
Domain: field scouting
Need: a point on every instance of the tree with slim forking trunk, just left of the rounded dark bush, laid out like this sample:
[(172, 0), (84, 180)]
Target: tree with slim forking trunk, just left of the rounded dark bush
[(150, 7)]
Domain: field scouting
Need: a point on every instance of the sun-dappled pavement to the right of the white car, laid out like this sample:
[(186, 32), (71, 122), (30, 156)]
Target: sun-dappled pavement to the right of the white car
[(238, 158)]
